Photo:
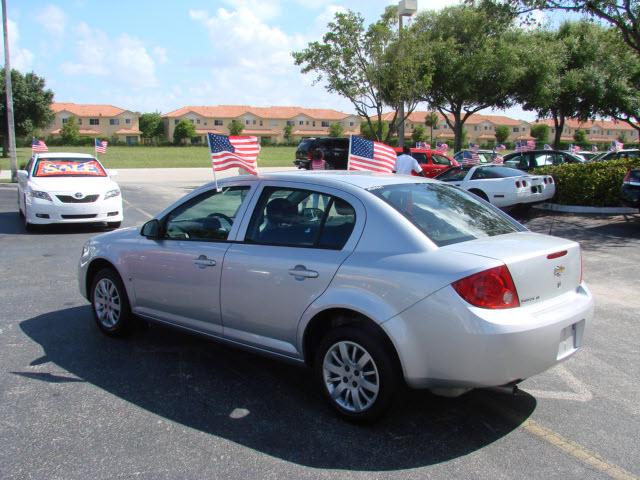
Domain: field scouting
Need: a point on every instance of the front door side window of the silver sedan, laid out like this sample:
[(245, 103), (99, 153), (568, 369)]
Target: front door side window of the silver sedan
[(209, 216)]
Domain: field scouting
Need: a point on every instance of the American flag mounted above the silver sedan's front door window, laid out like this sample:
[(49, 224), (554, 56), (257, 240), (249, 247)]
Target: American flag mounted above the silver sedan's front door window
[(234, 152)]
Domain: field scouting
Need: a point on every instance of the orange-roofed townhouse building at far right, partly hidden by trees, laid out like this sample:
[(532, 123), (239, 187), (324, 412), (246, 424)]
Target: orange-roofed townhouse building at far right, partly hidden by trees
[(598, 131)]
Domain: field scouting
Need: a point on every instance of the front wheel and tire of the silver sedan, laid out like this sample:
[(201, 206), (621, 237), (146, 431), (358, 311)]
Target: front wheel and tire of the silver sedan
[(110, 304)]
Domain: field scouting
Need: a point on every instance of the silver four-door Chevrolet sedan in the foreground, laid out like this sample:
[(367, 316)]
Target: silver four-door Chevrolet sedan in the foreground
[(371, 280)]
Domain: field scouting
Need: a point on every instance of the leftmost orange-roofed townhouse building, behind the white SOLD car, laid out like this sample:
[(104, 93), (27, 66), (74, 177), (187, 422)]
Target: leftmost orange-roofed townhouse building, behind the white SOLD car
[(99, 121)]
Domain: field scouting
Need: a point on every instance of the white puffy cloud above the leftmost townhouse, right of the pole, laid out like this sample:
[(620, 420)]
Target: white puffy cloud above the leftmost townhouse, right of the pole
[(124, 58)]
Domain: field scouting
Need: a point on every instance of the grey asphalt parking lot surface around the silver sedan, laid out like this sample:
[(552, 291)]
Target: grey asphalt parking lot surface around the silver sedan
[(75, 404)]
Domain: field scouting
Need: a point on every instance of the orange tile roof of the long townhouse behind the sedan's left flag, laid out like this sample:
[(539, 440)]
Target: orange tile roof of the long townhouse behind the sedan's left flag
[(234, 111)]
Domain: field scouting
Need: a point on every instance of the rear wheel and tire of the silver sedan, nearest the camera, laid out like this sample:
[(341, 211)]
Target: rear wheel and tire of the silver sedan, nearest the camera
[(357, 373)]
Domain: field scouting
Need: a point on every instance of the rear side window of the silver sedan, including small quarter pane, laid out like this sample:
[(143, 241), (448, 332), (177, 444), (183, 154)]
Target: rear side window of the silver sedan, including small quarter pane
[(300, 218)]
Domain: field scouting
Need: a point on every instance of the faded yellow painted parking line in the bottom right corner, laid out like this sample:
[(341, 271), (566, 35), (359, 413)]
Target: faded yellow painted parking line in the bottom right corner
[(577, 451)]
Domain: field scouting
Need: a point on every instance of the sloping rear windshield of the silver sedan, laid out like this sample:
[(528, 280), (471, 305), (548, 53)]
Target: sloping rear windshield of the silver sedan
[(445, 214)]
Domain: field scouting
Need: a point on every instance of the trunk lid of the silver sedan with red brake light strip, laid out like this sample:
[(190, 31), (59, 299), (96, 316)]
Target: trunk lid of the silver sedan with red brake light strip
[(542, 266)]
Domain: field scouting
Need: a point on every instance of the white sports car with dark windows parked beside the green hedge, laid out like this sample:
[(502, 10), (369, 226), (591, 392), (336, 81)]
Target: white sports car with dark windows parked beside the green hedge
[(502, 186)]
